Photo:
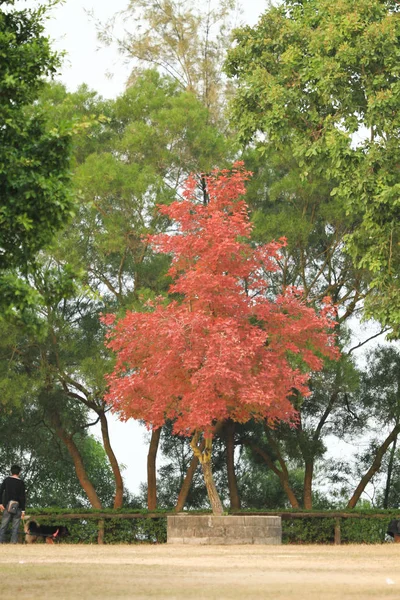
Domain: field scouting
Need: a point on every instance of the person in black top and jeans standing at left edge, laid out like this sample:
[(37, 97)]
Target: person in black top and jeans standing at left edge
[(12, 488)]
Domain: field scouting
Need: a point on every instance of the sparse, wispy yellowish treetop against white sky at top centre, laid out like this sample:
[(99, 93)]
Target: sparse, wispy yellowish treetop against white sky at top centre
[(184, 40)]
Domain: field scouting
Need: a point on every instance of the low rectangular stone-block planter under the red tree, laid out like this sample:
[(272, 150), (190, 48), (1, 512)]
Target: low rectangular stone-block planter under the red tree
[(225, 530)]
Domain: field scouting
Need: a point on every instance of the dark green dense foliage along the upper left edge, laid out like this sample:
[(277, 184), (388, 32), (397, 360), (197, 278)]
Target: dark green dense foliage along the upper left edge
[(34, 152)]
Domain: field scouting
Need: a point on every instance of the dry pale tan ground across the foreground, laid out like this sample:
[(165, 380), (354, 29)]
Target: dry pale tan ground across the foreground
[(232, 572)]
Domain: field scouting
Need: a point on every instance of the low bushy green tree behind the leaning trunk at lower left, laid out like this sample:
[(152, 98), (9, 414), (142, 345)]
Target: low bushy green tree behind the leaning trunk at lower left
[(48, 470)]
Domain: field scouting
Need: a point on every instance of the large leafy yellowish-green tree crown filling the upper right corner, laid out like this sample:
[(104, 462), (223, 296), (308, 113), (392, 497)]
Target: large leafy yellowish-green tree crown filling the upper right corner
[(320, 80)]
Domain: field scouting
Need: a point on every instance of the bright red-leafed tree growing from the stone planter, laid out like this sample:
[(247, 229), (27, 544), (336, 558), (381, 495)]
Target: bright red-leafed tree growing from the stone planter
[(223, 347)]
